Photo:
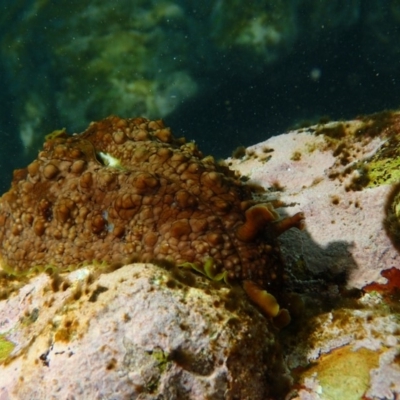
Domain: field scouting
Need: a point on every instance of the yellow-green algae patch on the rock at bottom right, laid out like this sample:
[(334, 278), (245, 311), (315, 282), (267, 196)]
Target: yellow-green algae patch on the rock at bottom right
[(344, 373)]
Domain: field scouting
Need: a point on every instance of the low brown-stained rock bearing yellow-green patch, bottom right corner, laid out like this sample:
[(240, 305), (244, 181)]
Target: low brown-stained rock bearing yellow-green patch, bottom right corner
[(350, 352)]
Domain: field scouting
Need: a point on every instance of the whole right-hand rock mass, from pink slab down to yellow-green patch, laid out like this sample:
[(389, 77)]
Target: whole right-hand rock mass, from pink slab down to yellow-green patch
[(344, 176)]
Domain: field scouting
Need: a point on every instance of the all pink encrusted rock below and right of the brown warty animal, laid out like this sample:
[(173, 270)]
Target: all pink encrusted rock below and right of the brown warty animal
[(141, 330)]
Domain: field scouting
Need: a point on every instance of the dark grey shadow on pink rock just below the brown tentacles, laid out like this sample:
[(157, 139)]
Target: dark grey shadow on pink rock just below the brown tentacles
[(318, 274)]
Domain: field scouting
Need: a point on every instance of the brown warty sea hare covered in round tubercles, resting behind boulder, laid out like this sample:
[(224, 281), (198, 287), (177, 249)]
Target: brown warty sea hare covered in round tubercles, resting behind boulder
[(127, 189)]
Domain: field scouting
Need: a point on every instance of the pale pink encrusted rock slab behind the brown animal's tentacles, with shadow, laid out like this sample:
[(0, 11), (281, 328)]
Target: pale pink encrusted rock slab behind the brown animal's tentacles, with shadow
[(344, 223)]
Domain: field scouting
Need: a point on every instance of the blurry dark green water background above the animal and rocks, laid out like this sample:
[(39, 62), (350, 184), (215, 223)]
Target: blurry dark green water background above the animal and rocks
[(221, 73)]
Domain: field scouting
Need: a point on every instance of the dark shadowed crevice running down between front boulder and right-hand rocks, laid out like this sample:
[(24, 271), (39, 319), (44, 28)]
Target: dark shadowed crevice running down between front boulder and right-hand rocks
[(315, 283)]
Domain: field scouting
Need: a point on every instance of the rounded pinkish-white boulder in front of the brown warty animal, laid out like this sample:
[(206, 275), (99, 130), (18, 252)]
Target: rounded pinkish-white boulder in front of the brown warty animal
[(140, 332)]
